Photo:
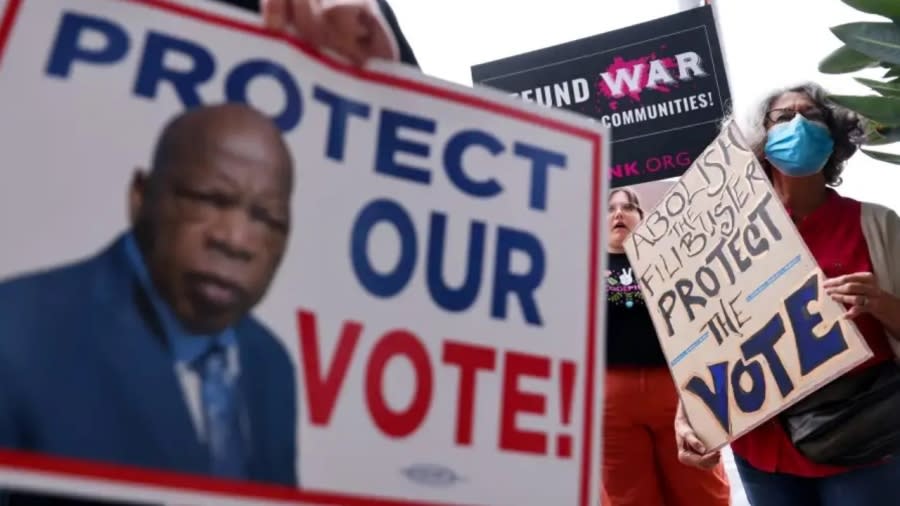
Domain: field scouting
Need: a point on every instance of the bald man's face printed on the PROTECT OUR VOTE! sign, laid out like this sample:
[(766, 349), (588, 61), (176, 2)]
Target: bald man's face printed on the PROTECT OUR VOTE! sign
[(219, 222)]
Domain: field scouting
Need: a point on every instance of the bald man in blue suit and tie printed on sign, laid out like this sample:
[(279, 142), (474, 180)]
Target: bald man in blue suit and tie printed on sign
[(145, 355)]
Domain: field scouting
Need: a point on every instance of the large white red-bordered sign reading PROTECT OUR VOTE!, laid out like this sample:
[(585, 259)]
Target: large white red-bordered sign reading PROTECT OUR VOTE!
[(437, 296)]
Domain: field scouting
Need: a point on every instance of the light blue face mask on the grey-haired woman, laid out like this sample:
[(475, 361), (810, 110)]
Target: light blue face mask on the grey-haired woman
[(800, 147)]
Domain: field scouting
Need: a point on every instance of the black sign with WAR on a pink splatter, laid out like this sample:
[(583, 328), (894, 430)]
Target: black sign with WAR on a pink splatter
[(661, 86)]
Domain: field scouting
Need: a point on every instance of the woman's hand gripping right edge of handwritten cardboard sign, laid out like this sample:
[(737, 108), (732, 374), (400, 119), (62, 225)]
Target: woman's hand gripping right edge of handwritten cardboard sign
[(861, 292)]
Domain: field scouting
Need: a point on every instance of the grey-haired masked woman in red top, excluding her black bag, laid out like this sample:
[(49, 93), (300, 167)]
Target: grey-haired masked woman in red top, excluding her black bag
[(803, 142)]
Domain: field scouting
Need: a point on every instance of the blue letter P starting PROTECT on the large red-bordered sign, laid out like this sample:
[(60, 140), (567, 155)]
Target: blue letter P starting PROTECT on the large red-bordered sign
[(67, 48)]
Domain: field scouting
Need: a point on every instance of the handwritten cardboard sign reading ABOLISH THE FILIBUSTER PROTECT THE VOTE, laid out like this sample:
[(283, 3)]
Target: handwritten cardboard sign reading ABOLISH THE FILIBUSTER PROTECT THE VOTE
[(736, 297)]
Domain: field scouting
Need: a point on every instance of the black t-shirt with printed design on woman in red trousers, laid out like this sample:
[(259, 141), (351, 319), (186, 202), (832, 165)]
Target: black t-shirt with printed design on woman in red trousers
[(630, 336)]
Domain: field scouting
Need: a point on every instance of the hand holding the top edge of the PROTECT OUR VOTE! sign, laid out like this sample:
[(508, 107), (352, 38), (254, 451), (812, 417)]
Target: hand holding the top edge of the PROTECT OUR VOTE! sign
[(355, 29)]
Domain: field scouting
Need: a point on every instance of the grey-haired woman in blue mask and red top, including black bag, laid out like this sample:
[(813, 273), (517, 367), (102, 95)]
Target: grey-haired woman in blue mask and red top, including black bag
[(832, 448)]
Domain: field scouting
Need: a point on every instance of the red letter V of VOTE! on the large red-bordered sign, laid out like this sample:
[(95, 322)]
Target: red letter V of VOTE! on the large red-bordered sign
[(322, 393)]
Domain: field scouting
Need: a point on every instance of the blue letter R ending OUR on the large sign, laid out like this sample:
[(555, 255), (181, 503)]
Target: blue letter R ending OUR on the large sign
[(522, 285)]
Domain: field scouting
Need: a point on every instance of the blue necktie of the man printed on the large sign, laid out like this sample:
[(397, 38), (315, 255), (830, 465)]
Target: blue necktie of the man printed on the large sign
[(221, 415)]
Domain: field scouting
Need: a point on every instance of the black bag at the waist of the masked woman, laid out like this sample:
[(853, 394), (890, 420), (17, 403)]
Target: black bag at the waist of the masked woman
[(854, 420)]
